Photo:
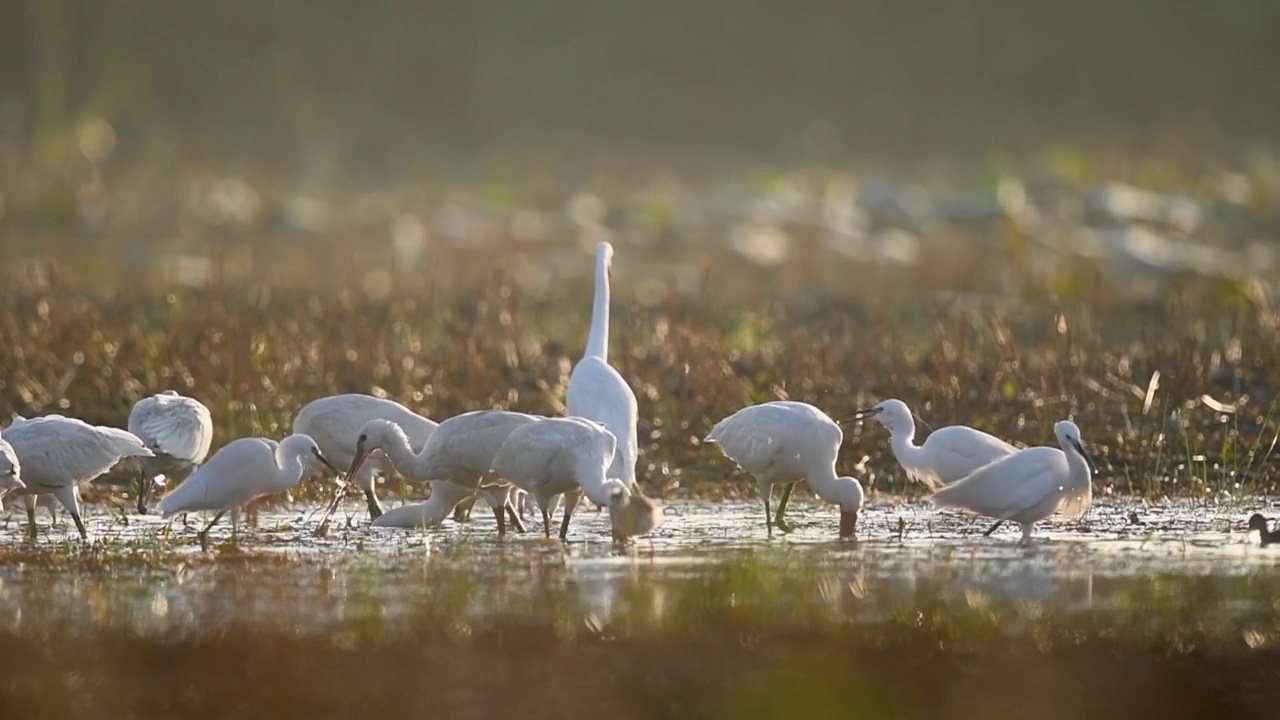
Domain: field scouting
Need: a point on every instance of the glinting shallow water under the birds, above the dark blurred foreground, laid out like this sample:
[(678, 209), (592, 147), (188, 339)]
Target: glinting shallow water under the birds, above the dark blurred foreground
[(149, 576)]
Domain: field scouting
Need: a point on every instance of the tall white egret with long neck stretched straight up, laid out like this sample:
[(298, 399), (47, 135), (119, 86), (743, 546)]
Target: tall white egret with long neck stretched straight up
[(597, 391)]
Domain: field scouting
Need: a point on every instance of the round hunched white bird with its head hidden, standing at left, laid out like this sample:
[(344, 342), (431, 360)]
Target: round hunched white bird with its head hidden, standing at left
[(179, 431)]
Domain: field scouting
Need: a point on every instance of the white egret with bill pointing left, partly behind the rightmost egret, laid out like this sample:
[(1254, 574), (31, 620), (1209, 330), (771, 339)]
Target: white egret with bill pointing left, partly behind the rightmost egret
[(948, 455)]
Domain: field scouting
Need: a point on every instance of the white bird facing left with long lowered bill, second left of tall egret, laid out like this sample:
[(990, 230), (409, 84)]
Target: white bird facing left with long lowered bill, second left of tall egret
[(460, 452)]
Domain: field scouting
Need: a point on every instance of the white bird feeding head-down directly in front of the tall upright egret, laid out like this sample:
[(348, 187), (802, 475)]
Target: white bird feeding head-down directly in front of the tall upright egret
[(557, 457)]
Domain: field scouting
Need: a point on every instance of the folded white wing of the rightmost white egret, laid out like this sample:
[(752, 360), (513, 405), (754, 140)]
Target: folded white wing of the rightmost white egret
[(1008, 486)]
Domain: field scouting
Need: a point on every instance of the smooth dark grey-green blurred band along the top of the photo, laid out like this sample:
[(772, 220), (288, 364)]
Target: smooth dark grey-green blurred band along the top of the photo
[(376, 78)]
